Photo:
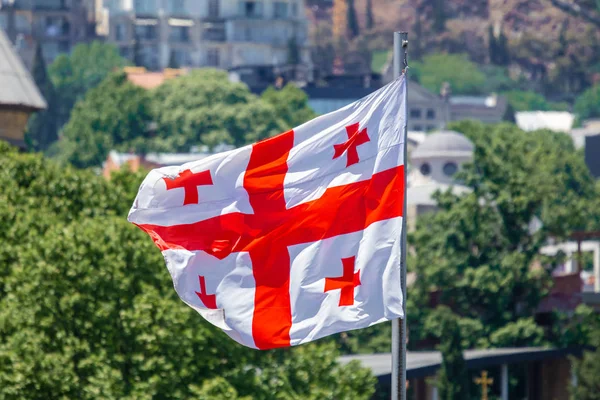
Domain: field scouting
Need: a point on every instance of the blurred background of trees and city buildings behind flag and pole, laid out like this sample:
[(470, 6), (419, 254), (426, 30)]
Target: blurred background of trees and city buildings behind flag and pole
[(503, 189)]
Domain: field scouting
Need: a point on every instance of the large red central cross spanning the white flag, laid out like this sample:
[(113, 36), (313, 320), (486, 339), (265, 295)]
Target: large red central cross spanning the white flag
[(272, 228)]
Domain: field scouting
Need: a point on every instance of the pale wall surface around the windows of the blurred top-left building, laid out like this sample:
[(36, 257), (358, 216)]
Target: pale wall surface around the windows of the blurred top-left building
[(248, 40)]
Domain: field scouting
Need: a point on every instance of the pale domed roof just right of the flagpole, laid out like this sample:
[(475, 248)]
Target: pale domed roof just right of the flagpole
[(444, 144)]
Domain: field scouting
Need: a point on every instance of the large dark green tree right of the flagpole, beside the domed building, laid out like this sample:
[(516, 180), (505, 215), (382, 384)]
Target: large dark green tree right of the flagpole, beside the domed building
[(476, 253)]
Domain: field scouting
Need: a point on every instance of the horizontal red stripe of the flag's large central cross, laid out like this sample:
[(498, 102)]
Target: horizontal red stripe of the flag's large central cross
[(340, 210)]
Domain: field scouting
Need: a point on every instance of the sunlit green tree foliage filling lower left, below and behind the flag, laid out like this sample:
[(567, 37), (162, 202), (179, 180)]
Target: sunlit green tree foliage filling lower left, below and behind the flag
[(87, 309)]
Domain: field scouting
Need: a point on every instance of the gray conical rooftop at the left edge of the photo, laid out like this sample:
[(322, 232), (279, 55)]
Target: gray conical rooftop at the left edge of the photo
[(17, 87)]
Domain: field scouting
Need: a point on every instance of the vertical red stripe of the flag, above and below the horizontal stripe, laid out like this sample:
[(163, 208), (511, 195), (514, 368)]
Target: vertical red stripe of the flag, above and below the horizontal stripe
[(263, 181)]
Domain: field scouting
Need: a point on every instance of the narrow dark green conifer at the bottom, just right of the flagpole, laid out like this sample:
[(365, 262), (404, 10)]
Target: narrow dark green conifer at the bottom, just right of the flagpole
[(452, 381)]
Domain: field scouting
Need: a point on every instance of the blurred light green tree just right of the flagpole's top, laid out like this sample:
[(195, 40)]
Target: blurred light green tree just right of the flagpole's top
[(463, 75)]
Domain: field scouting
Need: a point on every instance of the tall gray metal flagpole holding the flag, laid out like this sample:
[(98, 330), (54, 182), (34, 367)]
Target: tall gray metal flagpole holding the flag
[(399, 325)]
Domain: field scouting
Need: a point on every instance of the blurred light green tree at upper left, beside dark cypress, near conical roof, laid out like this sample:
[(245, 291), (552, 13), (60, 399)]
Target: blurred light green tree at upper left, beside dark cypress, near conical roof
[(83, 69)]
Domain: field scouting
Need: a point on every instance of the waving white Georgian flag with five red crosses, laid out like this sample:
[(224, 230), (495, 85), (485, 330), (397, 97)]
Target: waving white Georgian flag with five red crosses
[(292, 238)]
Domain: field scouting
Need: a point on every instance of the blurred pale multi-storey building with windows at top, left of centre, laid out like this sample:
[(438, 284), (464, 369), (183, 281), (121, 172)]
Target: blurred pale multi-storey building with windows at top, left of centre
[(205, 33)]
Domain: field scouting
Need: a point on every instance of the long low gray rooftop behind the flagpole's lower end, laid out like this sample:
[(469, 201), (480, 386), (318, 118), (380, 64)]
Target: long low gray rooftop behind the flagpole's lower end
[(425, 363)]
